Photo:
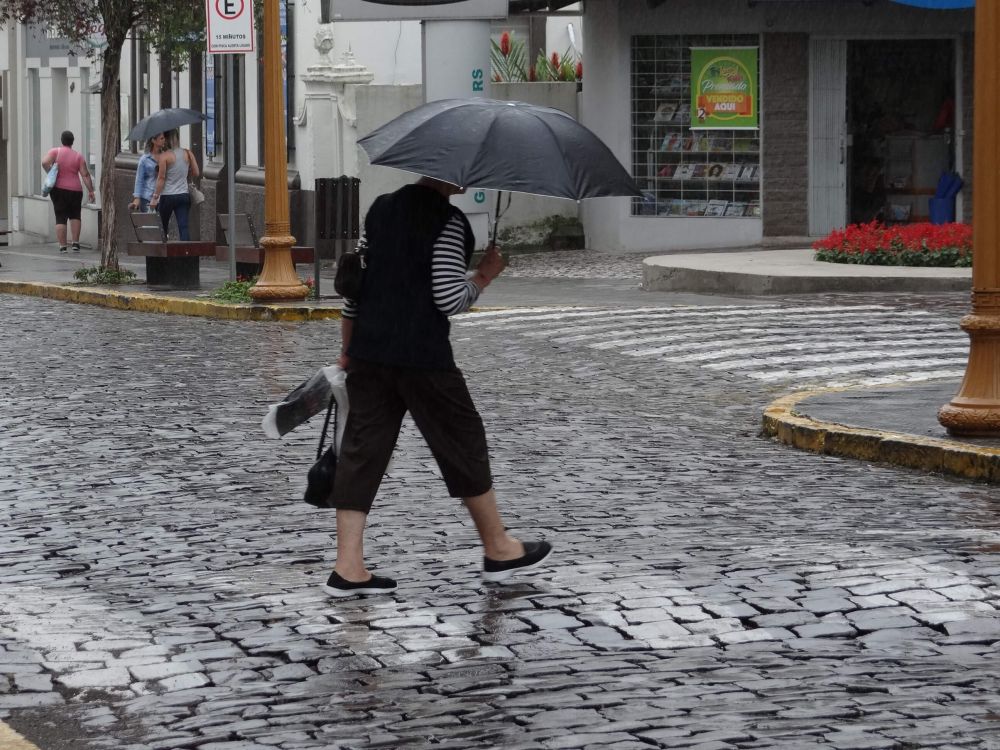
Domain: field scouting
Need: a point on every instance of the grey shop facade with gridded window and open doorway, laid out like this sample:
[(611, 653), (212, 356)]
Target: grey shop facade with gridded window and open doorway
[(860, 106)]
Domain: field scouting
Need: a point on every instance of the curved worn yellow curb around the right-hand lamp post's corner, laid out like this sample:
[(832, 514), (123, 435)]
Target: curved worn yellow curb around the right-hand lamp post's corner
[(783, 422)]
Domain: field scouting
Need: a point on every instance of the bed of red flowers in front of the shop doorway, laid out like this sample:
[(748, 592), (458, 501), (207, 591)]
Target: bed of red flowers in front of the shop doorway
[(898, 245)]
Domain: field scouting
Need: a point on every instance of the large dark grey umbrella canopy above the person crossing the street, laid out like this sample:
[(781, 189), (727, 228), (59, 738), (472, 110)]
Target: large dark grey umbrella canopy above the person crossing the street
[(496, 145)]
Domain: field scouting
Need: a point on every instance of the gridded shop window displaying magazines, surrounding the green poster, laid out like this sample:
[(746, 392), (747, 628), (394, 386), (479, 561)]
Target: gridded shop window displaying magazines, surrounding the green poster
[(687, 172)]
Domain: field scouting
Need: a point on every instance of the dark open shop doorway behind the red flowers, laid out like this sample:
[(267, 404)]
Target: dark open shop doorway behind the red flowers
[(901, 118)]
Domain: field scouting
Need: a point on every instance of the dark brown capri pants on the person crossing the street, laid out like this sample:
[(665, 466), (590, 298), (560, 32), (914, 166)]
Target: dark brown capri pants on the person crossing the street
[(439, 402)]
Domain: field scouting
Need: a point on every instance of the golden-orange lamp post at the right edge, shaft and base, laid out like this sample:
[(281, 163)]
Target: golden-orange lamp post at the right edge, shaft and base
[(975, 411)]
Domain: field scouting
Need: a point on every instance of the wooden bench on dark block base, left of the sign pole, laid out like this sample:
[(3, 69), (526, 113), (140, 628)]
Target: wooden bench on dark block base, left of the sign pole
[(173, 263)]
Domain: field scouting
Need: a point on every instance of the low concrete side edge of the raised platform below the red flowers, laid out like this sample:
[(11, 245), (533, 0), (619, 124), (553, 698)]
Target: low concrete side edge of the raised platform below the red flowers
[(660, 278)]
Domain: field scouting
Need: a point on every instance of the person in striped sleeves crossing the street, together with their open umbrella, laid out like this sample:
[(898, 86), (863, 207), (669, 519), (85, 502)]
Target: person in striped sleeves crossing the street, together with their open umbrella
[(395, 336)]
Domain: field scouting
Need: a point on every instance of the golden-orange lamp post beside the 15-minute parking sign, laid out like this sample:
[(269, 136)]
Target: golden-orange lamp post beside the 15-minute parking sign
[(278, 280)]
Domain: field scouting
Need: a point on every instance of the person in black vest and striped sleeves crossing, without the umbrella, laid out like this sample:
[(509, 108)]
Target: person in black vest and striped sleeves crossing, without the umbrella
[(397, 353)]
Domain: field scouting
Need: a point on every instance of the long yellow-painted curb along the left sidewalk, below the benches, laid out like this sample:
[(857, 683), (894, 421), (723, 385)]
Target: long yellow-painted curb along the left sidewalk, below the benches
[(164, 304)]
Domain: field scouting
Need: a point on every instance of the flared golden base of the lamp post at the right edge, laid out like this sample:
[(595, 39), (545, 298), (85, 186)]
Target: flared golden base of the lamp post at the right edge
[(975, 411)]
